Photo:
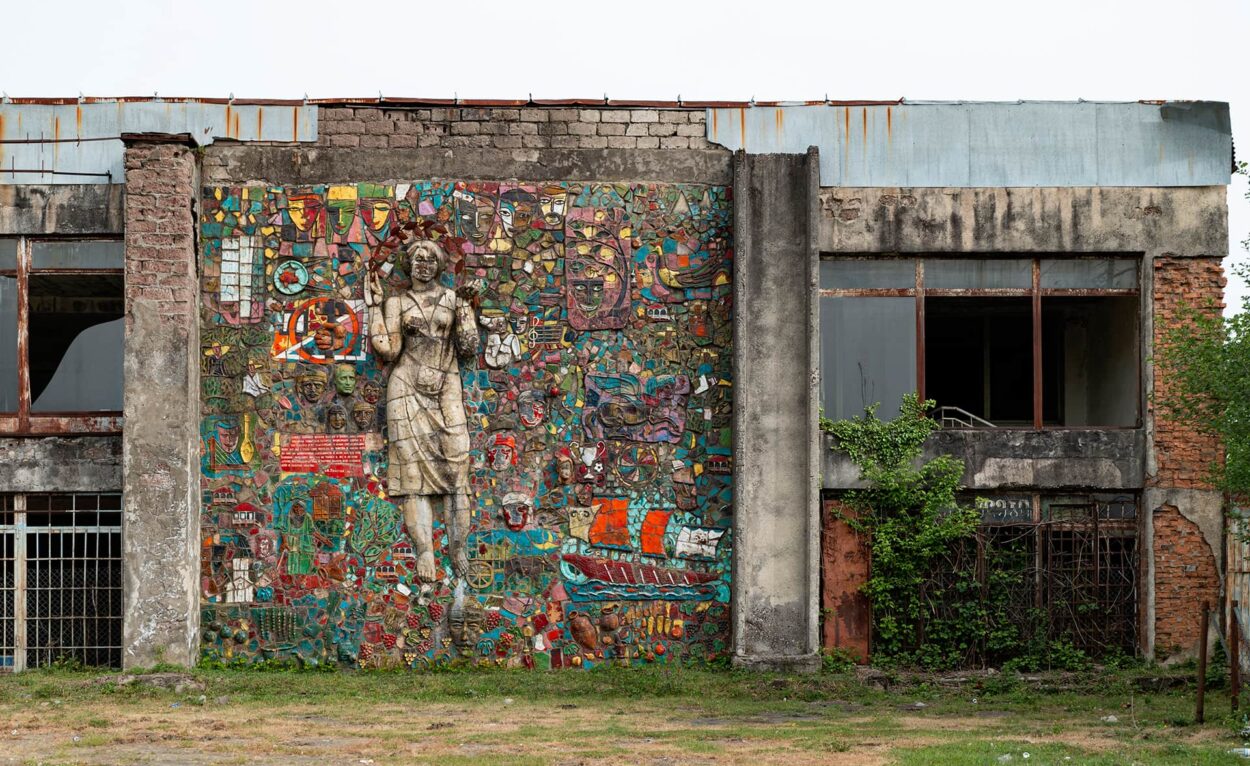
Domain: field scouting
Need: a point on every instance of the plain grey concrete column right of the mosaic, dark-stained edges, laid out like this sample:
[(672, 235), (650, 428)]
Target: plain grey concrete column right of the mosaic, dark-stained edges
[(777, 457)]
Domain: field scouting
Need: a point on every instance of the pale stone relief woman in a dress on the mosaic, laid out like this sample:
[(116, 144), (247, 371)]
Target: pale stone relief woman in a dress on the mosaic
[(426, 329)]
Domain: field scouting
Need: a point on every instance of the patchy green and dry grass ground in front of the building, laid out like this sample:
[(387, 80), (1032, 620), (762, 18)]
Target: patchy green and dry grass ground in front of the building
[(664, 717)]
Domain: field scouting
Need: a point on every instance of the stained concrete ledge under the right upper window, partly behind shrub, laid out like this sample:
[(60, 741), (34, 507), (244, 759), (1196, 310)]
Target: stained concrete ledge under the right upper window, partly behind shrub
[(1019, 459)]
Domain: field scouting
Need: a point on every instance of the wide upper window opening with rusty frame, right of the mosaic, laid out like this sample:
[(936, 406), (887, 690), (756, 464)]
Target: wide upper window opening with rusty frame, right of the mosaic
[(997, 342)]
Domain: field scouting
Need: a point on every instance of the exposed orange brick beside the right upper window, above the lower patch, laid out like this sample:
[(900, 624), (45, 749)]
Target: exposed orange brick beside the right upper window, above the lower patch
[(1183, 457)]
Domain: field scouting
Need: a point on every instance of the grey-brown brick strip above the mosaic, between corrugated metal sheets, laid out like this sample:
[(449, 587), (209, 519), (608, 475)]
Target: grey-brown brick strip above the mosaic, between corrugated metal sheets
[(541, 128)]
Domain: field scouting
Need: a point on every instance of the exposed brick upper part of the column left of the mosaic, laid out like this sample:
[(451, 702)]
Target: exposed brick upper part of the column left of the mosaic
[(161, 232)]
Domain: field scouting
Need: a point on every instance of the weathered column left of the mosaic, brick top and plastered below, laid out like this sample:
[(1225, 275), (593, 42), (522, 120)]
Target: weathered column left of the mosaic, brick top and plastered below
[(161, 444)]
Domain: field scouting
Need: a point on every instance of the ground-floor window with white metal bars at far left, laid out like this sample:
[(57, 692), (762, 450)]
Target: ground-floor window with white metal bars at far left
[(61, 583)]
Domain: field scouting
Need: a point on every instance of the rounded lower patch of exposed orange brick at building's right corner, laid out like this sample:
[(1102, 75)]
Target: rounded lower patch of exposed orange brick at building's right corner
[(1186, 575)]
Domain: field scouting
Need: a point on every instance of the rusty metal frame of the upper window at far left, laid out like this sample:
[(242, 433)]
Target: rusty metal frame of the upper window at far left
[(24, 423)]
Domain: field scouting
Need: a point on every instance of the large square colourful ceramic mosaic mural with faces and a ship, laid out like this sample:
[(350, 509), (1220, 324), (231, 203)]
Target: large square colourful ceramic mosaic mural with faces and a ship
[(451, 423)]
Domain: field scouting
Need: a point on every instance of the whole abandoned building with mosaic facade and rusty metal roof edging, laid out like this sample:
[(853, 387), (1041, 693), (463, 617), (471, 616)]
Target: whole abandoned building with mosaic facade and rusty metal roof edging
[(231, 333)]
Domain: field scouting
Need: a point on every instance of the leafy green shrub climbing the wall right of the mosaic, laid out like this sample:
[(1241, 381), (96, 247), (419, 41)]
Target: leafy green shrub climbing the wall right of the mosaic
[(944, 593)]
